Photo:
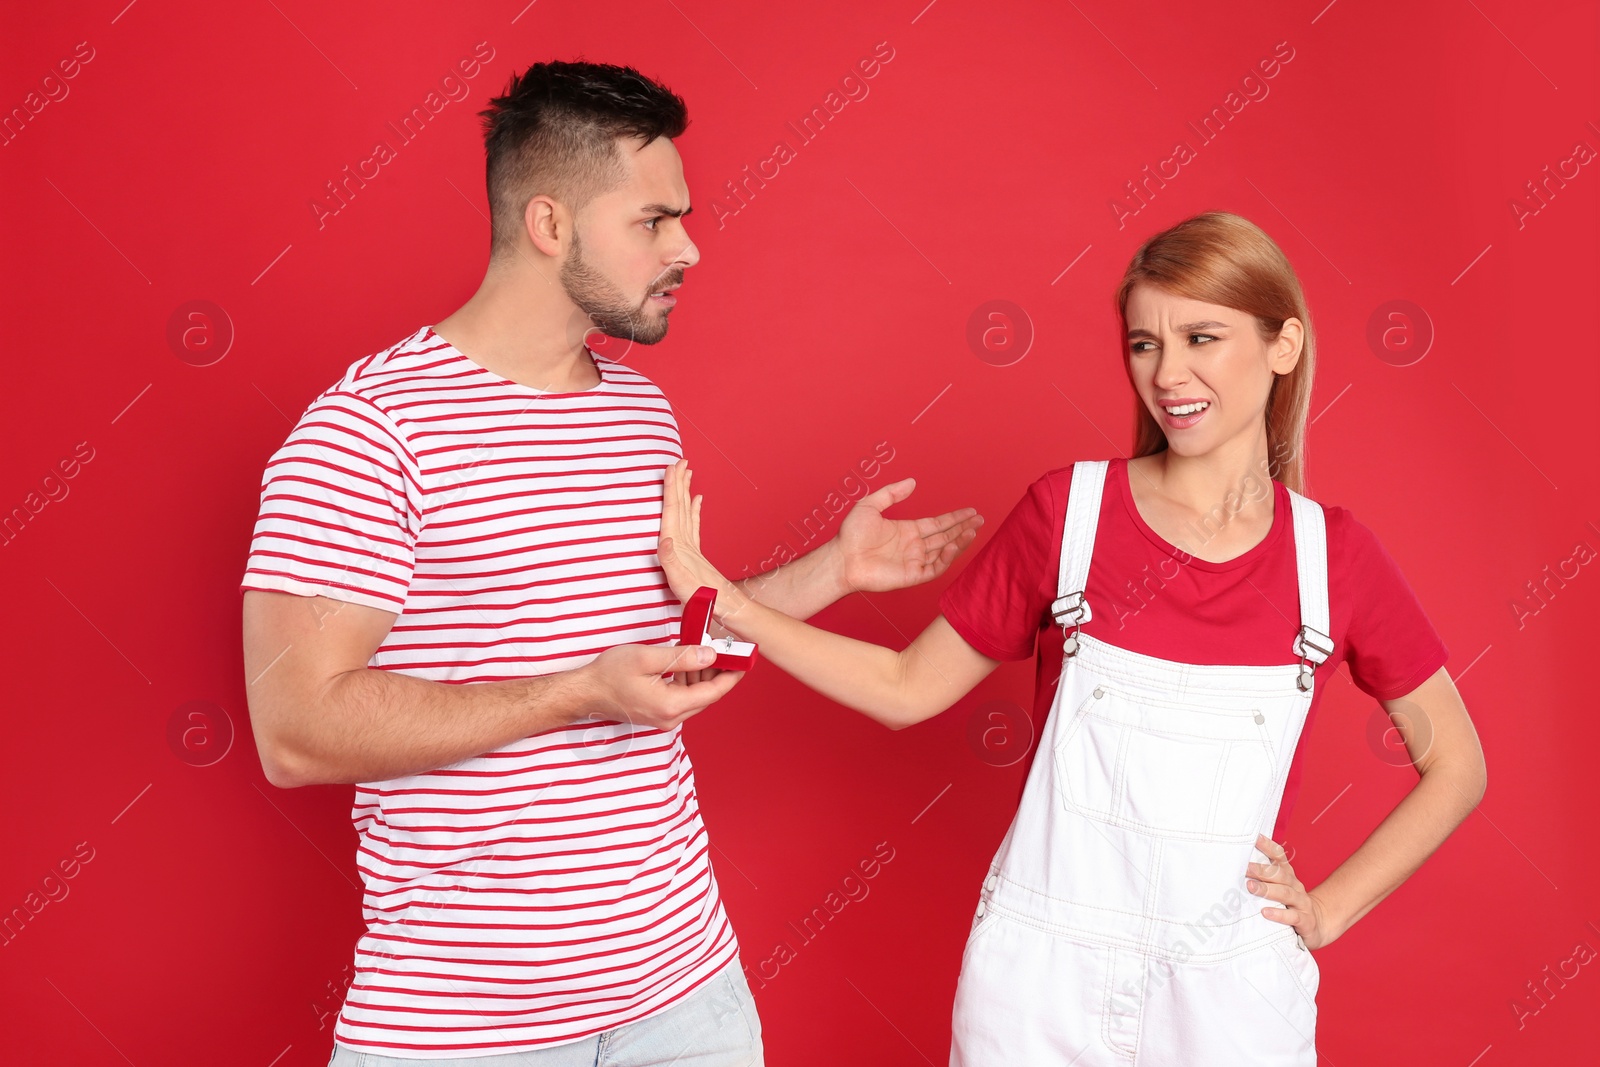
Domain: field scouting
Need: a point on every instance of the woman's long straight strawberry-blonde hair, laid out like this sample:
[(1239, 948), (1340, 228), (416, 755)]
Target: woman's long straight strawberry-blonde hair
[(1222, 258)]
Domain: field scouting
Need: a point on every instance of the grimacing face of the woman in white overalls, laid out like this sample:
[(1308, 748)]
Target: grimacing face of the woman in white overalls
[(1202, 370)]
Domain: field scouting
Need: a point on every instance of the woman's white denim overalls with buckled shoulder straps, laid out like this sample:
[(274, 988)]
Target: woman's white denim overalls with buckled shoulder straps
[(1114, 927)]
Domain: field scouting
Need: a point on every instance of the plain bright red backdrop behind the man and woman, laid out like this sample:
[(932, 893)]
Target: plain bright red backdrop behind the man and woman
[(218, 914)]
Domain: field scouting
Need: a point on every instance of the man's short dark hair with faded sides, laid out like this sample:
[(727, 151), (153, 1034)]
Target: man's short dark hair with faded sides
[(556, 132)]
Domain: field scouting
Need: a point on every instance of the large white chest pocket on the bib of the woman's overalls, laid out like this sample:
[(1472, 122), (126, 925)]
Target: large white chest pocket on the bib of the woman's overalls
[(1178, 769)]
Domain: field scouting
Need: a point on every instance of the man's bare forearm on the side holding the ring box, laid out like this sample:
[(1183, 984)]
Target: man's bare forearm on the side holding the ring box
[(374, 725)]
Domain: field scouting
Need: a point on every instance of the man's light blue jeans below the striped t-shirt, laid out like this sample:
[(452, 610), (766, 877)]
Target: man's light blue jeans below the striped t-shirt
[(716, 1026)]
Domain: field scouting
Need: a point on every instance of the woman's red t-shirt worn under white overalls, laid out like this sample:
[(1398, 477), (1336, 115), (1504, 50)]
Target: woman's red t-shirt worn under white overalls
[(1154, 599)]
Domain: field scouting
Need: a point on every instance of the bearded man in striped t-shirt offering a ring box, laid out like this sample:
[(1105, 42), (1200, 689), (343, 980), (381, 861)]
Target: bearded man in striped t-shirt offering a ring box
[(454, 601)]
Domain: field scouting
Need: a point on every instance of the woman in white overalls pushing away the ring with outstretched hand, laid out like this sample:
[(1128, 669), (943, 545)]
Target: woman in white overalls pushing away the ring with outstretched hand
[(1142, 909)]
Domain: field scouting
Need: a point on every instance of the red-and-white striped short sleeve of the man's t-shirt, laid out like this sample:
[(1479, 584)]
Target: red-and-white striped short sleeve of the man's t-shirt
[(340, 510)]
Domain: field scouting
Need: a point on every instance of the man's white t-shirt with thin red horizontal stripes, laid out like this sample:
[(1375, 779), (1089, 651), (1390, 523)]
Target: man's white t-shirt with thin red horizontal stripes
[(561, 885)]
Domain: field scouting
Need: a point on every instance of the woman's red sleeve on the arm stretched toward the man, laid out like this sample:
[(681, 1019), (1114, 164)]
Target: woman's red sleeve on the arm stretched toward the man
[(999, 602)]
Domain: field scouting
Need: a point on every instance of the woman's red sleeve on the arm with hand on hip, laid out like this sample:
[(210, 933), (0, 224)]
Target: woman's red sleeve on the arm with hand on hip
[(1393, 645)]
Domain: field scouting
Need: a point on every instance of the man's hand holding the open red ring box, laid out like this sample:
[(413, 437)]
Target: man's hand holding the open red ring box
[(626, 684)]
